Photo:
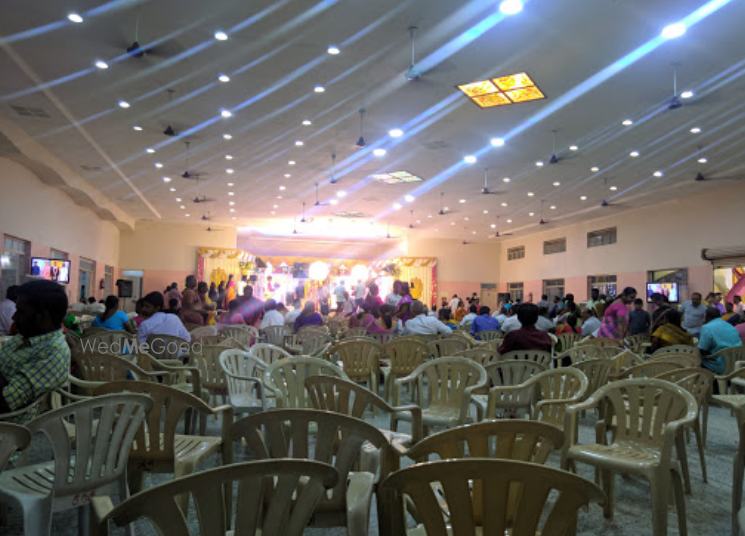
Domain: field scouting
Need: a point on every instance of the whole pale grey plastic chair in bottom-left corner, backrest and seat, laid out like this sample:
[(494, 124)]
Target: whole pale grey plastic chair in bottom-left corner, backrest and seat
[(92, 464)]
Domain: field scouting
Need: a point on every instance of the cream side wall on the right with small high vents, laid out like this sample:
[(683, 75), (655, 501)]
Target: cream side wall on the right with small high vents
[(668, 235)]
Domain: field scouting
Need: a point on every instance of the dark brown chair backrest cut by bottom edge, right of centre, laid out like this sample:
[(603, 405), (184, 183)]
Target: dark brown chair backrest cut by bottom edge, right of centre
[(497, 482)]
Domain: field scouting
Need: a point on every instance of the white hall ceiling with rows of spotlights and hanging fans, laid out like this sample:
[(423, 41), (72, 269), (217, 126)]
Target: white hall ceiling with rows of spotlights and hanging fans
[(598, 63)]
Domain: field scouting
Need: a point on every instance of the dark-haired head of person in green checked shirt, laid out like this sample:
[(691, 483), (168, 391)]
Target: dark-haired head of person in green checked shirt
[(40, 308)]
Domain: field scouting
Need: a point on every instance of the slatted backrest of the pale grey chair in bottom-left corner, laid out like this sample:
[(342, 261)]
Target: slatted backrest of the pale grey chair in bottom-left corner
[(105, 427)]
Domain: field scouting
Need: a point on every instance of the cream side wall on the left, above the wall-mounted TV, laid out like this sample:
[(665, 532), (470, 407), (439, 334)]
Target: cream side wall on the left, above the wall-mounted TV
[(49, 219)]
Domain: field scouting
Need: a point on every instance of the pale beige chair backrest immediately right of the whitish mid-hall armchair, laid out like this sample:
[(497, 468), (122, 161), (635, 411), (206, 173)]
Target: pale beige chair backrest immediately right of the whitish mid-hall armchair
[(286, 379)]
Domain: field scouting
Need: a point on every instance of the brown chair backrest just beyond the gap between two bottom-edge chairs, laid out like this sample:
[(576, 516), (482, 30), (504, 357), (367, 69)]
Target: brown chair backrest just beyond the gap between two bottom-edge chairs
[(285, 433)]
